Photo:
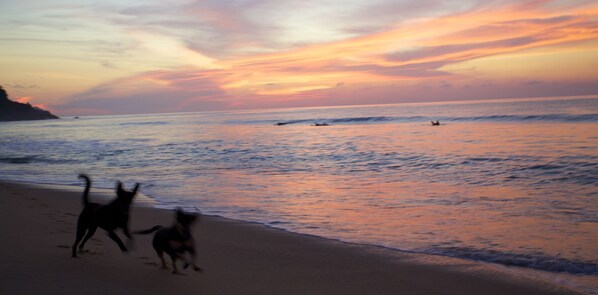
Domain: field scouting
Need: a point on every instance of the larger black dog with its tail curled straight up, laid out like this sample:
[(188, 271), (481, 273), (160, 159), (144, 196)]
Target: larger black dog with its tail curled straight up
[(109, 217)]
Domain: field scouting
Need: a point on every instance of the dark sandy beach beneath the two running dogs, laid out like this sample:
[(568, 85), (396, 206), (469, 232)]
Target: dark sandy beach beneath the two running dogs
[(38, 228)]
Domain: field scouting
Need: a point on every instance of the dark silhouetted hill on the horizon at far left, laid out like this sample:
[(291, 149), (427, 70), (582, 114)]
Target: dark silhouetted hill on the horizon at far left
[(16, 111)]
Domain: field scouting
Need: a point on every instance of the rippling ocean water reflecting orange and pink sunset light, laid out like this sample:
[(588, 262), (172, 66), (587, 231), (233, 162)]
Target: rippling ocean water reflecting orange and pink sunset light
[(511, 183)]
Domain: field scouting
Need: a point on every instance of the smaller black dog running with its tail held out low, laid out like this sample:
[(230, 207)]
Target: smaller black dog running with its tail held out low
[(175, 240)]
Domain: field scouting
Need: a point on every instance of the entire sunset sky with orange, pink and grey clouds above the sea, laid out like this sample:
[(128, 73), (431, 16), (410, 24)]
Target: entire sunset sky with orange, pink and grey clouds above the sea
[(77, 57)]
